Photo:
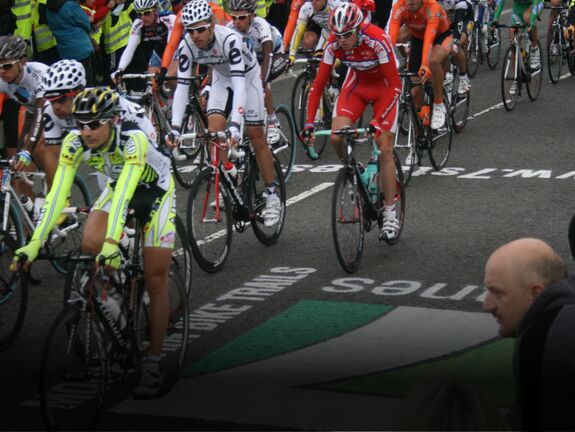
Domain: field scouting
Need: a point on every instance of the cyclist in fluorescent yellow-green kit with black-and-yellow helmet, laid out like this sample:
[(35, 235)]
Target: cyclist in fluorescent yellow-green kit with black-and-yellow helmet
[(139, 178)]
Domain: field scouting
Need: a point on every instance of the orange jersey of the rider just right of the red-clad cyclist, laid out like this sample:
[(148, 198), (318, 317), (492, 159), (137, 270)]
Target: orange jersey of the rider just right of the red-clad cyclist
[(427, 23)]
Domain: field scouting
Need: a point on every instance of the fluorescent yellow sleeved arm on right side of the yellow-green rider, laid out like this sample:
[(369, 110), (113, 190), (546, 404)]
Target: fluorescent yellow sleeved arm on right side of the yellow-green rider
[(134, 165)]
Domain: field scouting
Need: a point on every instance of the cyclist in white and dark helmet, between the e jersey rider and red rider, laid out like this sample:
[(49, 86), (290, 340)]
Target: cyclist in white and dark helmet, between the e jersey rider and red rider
[(265, 40)]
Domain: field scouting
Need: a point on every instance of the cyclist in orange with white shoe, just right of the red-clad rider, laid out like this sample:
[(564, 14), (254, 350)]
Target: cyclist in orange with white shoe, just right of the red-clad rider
[(431, 43)]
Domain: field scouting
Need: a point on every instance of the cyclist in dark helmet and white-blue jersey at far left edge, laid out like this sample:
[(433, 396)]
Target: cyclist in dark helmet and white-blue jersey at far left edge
[(20, 80)]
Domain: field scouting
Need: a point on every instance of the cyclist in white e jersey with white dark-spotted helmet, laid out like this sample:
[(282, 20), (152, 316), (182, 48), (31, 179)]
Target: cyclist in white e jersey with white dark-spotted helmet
[(235, 76)]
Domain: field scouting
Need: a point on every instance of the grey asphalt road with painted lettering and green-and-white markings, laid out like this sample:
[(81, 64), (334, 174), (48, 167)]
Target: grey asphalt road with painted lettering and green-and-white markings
[(282, 337)]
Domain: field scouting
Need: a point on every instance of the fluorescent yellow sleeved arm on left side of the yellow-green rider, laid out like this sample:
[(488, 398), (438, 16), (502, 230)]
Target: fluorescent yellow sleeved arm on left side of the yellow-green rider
[(70, 158)]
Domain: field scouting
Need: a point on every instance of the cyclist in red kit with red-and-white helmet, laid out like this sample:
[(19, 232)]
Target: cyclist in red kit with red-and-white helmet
[(372, 79)]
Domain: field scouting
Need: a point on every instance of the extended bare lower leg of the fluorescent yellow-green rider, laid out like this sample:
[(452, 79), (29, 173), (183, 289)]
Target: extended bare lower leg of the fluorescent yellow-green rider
[(156, 270)]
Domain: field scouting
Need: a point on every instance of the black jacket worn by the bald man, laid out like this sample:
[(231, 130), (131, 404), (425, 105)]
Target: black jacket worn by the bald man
[(544, 361)]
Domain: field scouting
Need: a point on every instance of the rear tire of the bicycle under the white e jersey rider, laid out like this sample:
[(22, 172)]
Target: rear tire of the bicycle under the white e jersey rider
[(257, 202)]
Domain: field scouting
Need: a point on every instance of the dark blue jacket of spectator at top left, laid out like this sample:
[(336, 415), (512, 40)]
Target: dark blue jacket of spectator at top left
[(71, 28)]
